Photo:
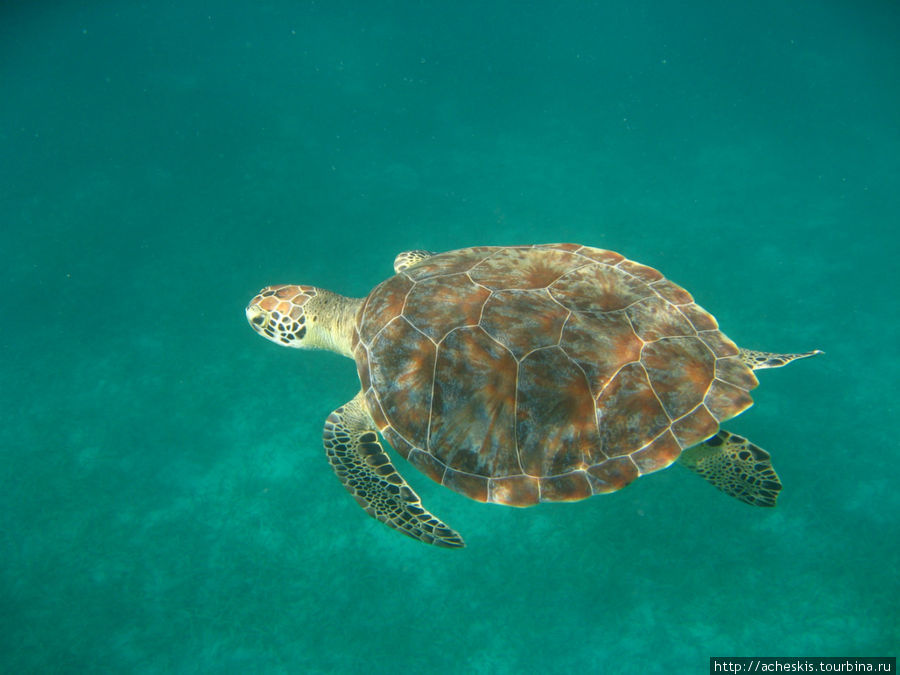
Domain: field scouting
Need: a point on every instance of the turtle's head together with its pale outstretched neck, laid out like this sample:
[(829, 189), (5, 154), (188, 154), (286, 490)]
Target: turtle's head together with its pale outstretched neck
[(304, 317)]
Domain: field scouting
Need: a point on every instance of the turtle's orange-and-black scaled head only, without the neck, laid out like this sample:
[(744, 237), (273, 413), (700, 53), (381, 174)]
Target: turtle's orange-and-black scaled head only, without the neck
[(279, 314)]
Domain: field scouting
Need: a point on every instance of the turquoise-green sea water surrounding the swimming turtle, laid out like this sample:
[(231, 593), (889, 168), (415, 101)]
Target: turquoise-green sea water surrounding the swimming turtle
[(166, 505)]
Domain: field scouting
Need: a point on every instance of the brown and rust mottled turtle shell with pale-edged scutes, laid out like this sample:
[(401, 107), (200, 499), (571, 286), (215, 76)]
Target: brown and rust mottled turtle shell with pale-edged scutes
[(523, 374)]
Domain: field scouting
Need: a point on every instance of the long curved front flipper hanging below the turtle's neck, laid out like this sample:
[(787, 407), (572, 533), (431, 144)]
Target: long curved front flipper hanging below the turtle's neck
[(358, 459)]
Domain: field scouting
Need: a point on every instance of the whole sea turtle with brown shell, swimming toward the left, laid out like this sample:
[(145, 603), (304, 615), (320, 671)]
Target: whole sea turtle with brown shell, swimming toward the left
[(525, 374)]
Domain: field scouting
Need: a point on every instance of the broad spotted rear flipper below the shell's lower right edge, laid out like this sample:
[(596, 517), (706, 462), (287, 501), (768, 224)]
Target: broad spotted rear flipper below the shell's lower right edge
[(736, 466)]
